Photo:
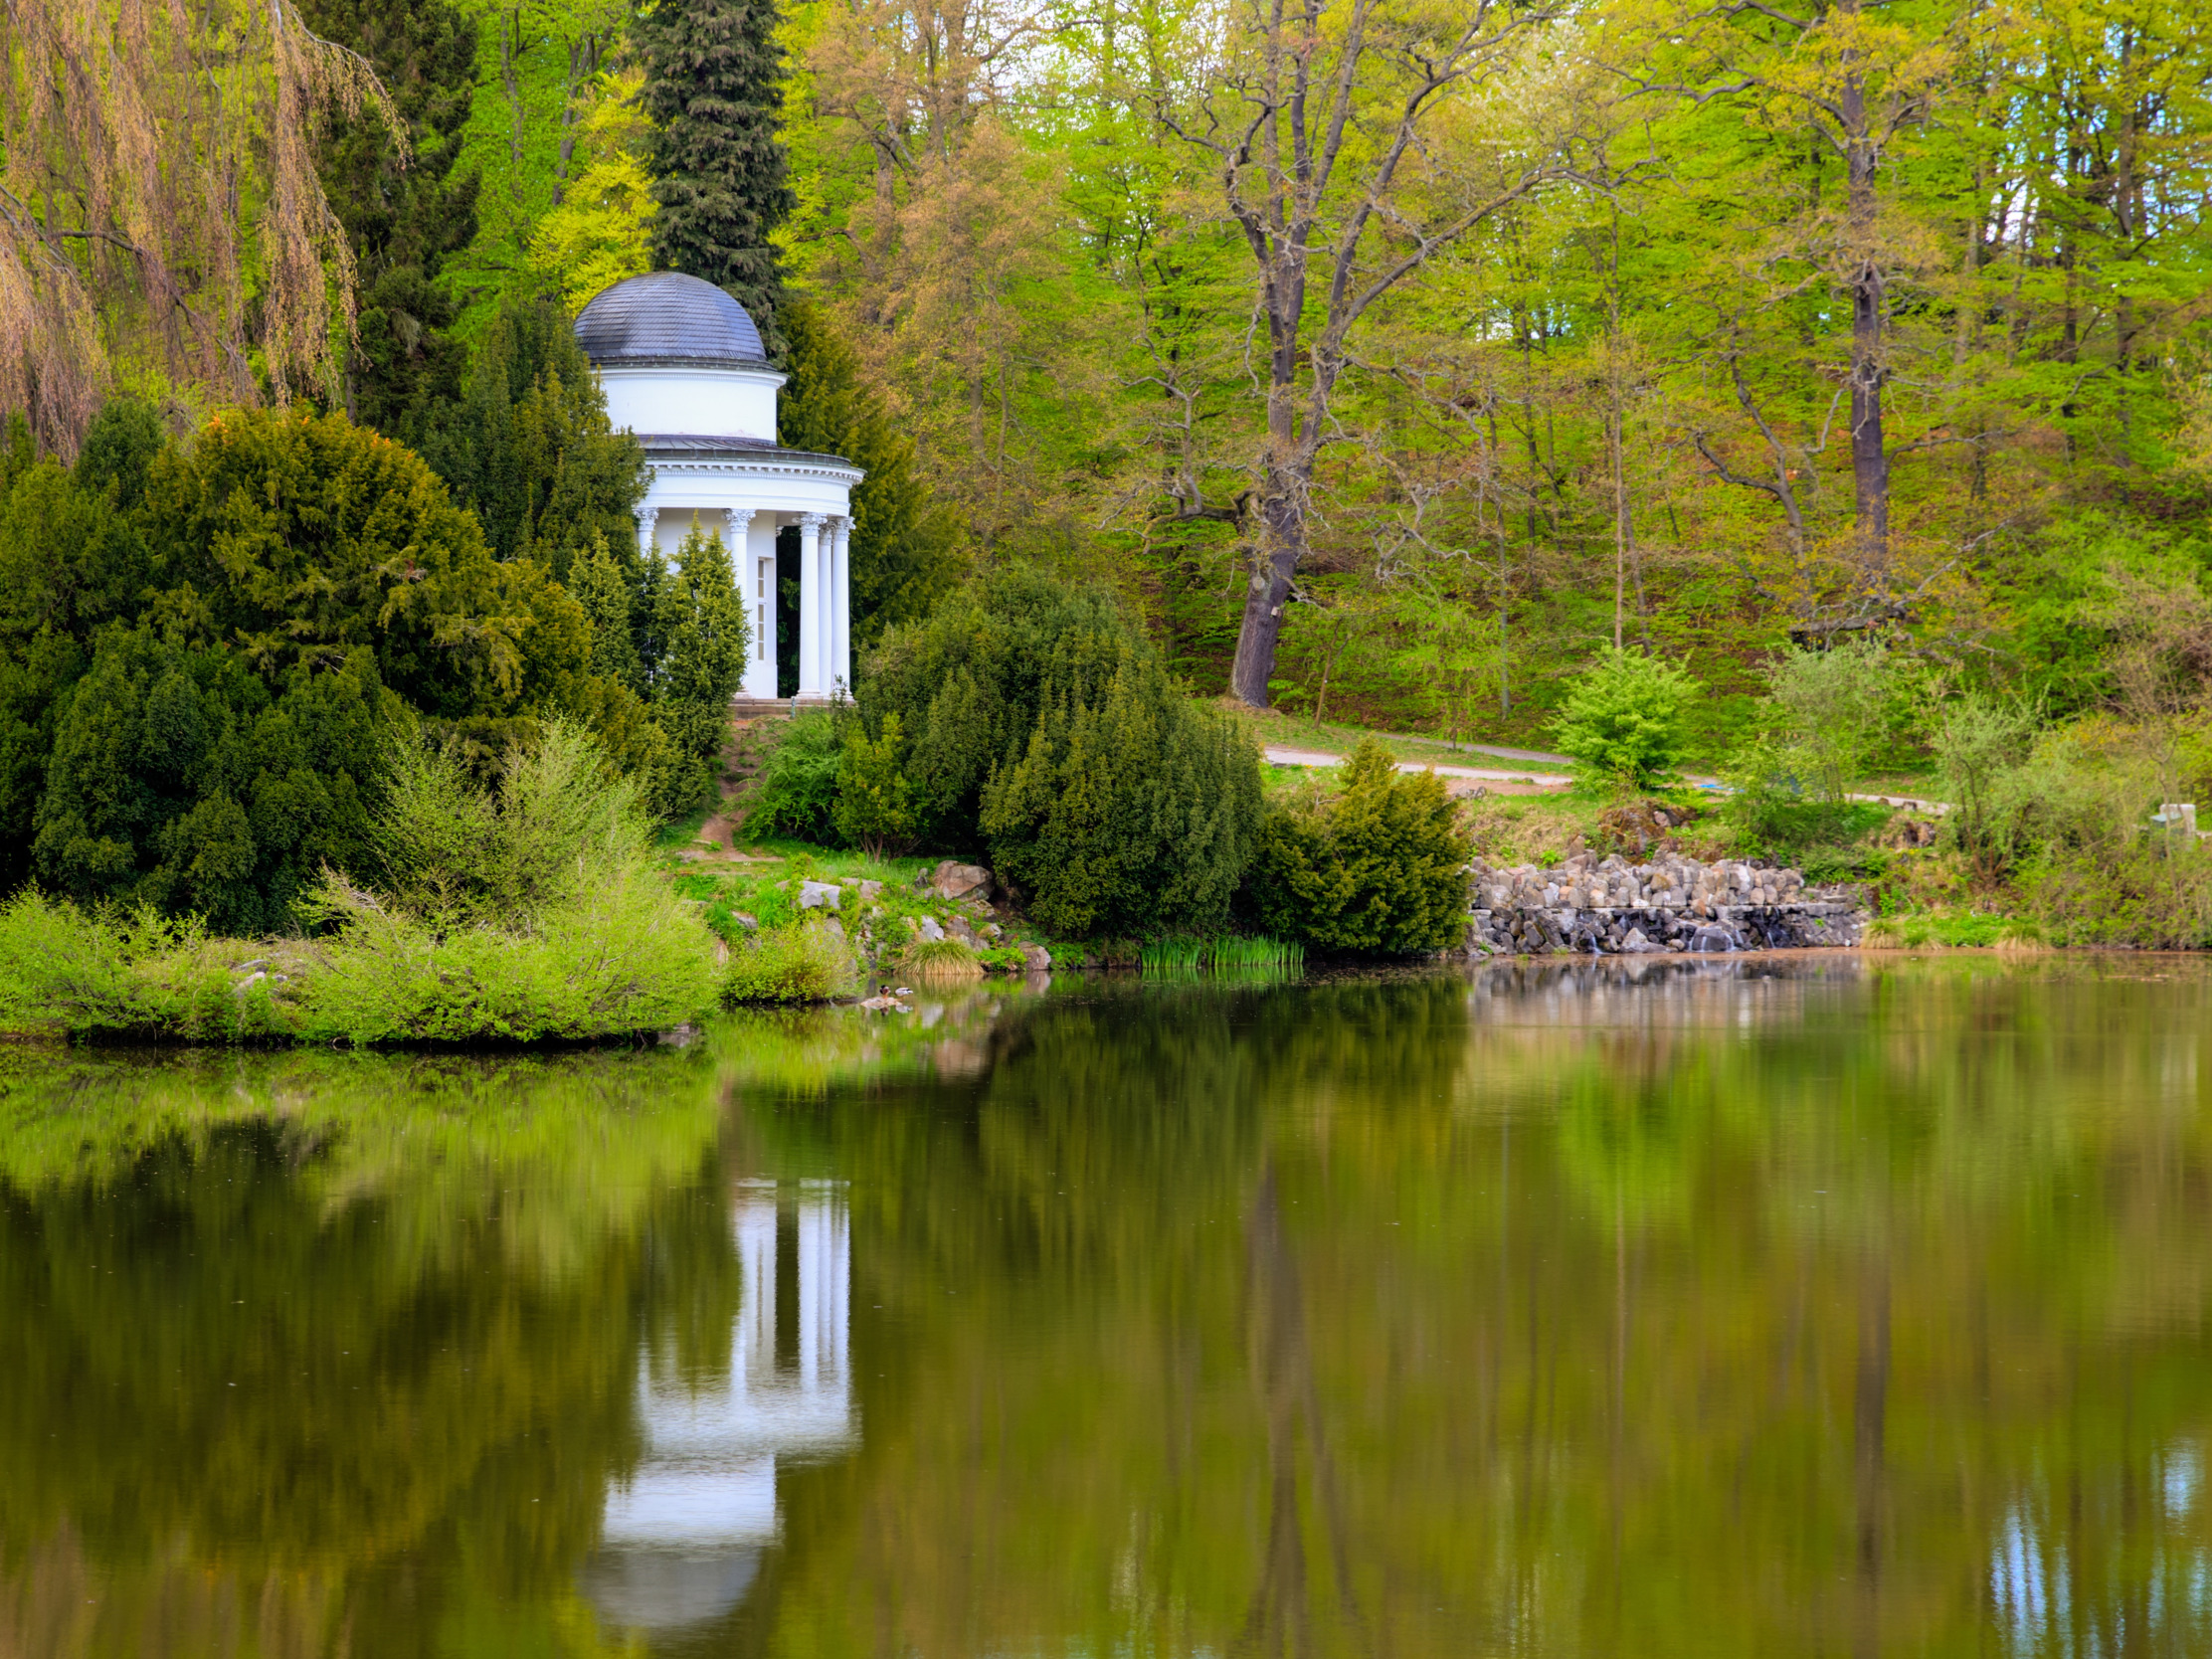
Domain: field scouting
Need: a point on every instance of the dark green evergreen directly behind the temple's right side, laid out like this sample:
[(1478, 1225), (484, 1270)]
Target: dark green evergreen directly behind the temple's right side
[(906, 545)]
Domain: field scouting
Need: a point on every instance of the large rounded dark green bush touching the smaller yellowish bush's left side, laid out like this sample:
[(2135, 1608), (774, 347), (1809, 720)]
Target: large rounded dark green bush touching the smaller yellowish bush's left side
[(1131, 808)]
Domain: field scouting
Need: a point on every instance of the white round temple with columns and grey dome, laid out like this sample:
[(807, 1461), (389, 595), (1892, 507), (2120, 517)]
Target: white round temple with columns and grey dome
[(682, 368)]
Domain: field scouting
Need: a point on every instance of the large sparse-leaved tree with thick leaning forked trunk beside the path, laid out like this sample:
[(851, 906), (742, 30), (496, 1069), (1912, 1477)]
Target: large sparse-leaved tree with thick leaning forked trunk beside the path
[(1317, 118)]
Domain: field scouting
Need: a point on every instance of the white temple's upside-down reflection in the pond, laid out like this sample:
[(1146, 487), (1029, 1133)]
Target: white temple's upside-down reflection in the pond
[(685, 1536)]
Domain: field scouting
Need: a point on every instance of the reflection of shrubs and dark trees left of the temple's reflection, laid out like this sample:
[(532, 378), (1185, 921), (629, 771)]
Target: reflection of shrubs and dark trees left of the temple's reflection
[(342, 1361)]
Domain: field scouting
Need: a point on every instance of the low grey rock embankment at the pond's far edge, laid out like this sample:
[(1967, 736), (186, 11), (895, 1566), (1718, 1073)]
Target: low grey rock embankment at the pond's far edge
[(1614, 908)]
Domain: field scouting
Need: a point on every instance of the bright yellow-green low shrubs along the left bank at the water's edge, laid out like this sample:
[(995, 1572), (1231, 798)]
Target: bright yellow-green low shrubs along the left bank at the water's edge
[(528, 912)]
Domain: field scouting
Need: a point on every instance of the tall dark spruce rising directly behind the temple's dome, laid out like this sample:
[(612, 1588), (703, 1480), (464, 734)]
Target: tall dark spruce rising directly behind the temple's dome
[(716, 98)]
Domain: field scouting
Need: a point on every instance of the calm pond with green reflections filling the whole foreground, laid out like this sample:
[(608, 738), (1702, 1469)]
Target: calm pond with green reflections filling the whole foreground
[(1771, 1306)]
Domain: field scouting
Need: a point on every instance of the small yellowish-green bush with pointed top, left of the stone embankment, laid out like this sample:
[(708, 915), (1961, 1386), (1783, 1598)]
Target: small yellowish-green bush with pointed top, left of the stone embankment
[(1381, 868)]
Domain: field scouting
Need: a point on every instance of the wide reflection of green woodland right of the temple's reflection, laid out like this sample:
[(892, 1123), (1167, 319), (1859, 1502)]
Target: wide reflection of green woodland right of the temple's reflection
[(1742, 1319)]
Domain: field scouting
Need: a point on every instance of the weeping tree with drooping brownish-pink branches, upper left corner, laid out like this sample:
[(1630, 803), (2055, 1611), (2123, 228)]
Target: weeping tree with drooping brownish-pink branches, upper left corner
[(160, 209)]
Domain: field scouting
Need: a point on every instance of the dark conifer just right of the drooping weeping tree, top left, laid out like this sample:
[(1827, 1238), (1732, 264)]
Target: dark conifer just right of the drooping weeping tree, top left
[(404, 216)]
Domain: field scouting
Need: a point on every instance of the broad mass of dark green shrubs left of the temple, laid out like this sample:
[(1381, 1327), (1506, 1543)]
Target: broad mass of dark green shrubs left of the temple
[(200, 647)]
